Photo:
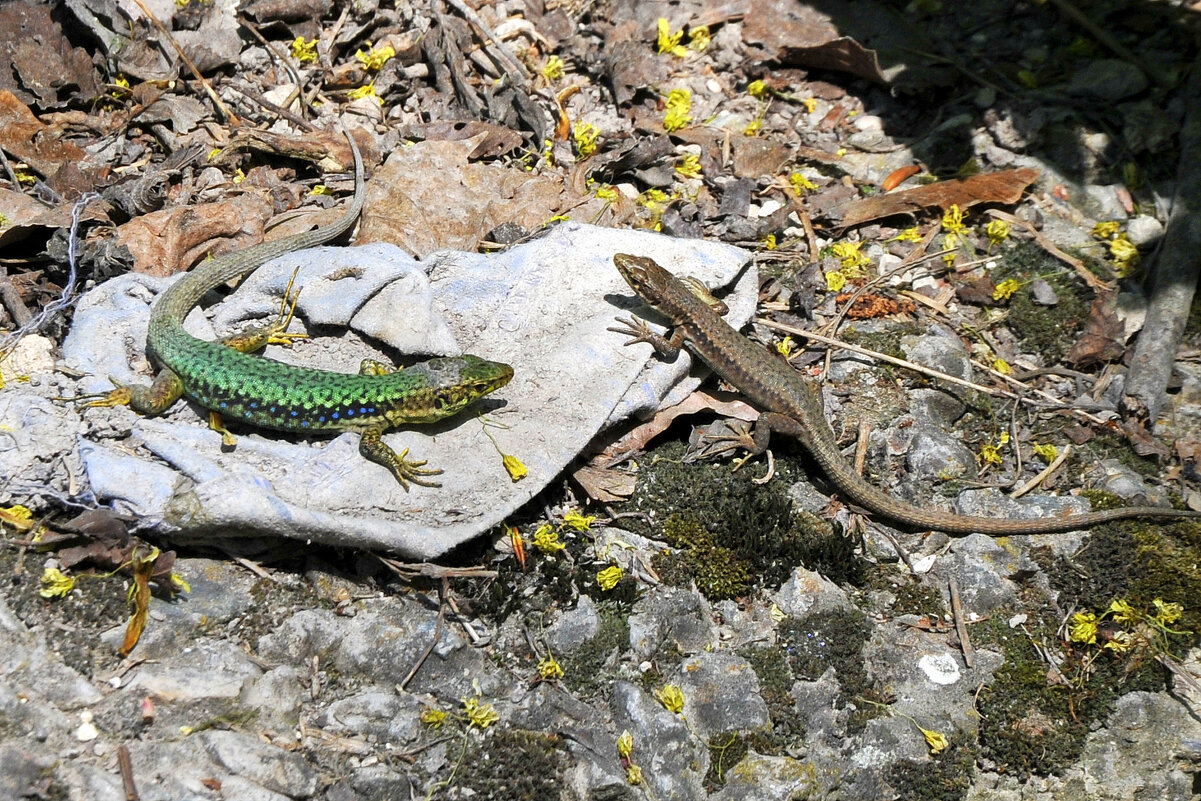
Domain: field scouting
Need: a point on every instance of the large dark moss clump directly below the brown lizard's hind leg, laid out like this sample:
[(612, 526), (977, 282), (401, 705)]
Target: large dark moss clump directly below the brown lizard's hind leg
[(721, 516)]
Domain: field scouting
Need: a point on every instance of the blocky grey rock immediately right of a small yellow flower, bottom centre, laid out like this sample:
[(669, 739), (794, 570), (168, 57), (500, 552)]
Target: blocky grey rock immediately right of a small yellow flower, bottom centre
[(721, 695)]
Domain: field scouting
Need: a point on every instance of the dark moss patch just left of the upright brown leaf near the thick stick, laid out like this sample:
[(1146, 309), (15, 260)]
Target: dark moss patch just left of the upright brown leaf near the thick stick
[(1047, 331)]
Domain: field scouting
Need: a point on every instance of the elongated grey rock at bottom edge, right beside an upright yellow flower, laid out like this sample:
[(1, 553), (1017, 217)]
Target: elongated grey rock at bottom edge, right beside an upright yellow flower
[(674, 762)]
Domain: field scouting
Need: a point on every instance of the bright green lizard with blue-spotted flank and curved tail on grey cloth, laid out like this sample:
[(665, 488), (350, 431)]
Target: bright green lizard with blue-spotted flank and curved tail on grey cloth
[(224, 376)]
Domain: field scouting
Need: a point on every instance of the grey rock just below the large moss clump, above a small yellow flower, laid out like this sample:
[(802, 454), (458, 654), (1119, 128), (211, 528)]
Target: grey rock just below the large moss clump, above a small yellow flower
[(674, 619)]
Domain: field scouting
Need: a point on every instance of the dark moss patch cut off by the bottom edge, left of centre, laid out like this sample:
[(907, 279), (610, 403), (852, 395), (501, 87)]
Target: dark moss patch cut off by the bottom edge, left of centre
[(513, 766)]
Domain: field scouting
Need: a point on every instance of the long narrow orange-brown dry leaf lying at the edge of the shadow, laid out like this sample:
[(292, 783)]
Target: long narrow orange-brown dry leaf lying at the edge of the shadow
[(1005, 187)]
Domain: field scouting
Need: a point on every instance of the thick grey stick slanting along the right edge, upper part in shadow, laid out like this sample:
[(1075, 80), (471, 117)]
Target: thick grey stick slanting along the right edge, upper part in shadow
[(1176, 274)]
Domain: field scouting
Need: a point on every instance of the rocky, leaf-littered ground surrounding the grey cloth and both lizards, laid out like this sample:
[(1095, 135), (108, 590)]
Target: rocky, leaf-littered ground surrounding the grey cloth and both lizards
[(994, 182)]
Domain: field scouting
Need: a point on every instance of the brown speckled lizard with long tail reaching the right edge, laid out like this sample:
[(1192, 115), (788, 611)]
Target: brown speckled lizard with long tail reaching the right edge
[(790, 404)]
